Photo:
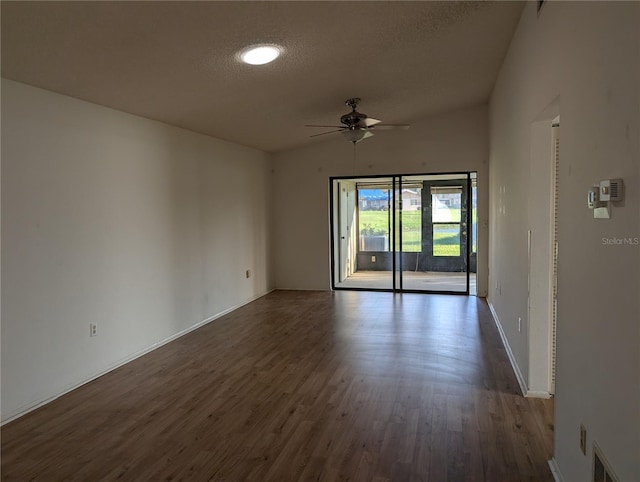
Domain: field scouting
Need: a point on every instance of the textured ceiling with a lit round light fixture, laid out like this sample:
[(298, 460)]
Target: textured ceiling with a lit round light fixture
[(175, 61)]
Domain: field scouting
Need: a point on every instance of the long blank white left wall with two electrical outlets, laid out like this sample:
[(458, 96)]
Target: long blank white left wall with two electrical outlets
[(108, 218)]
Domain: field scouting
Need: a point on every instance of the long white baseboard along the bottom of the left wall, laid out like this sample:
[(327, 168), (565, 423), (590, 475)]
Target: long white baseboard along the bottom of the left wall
[(44, 401)]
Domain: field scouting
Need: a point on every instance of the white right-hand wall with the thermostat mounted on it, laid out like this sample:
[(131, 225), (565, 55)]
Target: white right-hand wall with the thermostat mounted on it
[(587, 56)]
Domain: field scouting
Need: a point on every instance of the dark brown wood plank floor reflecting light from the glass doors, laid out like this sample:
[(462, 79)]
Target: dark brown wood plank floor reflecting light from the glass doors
[(302, 386)]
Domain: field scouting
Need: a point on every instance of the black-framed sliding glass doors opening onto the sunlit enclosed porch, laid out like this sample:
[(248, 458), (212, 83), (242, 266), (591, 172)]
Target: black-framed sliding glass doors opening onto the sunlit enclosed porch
[(410, 233)]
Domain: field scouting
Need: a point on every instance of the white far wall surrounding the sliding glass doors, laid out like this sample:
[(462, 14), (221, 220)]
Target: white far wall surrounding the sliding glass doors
[(452, 142)]
